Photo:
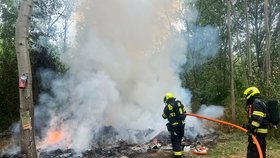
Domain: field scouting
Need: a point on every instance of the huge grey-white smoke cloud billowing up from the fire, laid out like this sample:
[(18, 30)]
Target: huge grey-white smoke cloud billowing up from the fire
[(128, 54)]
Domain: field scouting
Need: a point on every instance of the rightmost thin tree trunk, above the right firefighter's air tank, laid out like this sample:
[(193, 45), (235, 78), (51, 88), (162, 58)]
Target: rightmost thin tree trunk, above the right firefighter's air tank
[(267, 67)]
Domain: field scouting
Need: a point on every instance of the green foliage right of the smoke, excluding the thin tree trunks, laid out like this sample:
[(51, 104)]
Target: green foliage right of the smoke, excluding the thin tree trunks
[(209, 82)]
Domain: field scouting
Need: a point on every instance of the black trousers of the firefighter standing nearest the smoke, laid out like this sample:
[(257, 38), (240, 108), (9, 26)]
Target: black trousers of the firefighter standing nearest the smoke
[(177, 133)]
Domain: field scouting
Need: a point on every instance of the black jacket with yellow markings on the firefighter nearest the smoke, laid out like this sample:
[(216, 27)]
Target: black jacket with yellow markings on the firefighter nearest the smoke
[(175, 112)]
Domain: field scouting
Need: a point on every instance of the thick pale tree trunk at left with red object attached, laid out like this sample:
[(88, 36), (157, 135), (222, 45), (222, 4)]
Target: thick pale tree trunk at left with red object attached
[(27, 141)]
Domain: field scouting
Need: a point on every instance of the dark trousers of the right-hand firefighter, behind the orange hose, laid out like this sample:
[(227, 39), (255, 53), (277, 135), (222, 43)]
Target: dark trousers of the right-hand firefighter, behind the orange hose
[(252, 151)]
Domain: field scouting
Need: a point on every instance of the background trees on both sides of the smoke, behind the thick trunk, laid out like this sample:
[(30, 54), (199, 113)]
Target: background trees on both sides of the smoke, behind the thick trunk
[(248, 49)]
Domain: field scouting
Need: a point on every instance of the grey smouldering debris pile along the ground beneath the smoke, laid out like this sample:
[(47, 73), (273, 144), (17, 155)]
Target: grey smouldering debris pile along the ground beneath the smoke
[(109, 144)]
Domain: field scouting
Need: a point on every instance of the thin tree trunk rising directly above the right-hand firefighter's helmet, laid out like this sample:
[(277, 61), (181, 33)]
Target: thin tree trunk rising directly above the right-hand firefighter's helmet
[(249, 58)]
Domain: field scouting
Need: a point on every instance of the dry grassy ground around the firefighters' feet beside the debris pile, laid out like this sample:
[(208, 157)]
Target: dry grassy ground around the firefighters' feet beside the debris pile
[(231, 145)]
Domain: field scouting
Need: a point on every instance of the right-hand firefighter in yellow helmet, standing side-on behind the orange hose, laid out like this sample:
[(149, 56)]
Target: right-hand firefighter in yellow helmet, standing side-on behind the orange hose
[(257, 121)]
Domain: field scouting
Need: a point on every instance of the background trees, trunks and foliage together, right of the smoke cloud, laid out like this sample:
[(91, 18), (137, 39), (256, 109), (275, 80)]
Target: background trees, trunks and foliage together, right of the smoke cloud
[(255, 49)]
